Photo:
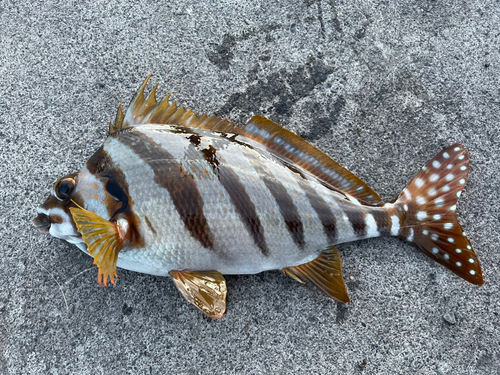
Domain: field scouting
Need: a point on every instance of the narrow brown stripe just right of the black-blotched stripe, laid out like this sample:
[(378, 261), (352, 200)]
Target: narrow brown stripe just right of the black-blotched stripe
[(285, 202)]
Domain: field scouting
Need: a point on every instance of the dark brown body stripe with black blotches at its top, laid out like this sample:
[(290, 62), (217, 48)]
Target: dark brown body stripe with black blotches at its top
[(236, 190)]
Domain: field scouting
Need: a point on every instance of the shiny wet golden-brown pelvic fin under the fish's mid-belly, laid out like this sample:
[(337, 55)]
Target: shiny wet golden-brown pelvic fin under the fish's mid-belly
[(204, 289)]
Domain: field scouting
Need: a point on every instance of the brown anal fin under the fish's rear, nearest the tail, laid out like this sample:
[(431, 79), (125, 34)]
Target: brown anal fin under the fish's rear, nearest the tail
[(325, 272)]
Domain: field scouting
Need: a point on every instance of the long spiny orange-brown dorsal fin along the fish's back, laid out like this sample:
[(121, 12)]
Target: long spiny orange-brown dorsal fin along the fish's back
[(282, 142)]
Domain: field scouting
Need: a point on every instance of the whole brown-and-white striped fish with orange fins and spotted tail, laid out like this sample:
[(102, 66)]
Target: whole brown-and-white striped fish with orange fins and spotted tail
[(196, 197)]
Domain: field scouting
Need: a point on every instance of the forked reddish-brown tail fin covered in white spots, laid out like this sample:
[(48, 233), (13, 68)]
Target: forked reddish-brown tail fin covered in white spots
[(429, 202)]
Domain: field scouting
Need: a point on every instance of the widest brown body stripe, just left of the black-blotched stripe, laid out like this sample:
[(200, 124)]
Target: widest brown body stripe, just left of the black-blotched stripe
[(170, 175)]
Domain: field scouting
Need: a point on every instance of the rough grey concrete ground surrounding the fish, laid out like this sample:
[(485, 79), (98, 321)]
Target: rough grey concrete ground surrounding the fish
[(381, 86)]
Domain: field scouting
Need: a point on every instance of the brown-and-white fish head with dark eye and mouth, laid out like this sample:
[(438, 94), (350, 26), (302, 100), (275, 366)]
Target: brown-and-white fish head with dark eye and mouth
[(95, 193)]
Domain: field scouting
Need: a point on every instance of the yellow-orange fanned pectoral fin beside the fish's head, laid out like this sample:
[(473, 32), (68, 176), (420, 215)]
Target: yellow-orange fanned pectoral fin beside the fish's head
[(103, 241)]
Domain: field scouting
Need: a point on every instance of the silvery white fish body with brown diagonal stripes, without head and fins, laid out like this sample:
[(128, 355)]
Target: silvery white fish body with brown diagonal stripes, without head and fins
[(206, 200)]
